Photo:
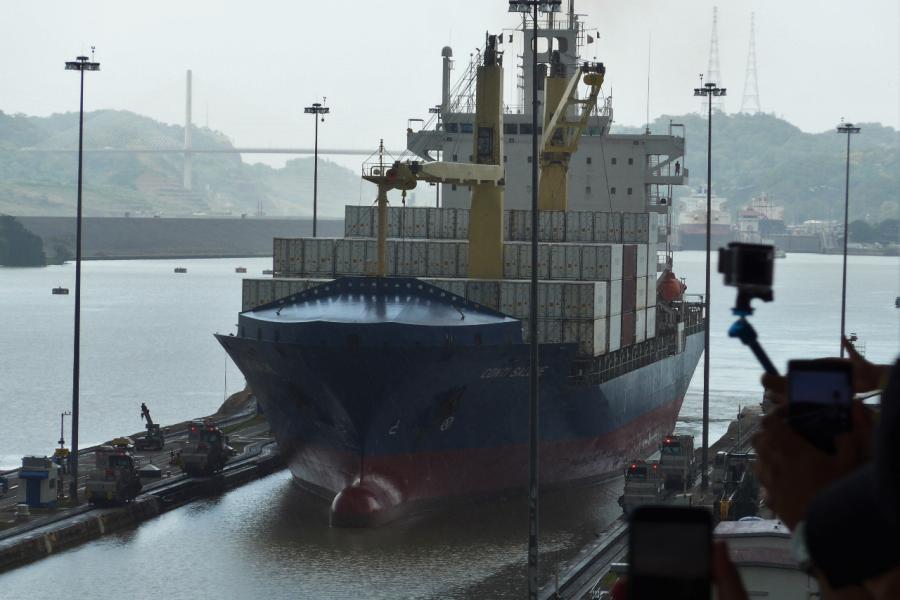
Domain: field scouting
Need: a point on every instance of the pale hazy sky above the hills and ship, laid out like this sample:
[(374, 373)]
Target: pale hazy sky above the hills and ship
[(257, 64)]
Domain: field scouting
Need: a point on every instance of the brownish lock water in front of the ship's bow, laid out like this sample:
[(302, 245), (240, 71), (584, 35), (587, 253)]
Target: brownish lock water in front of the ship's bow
[(271, 539)]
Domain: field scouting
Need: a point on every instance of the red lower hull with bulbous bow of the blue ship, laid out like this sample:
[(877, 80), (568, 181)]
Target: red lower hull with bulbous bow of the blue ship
[(369, 491)]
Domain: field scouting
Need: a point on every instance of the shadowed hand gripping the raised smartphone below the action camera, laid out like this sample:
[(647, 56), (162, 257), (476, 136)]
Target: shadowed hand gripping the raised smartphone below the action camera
[(793, 471)]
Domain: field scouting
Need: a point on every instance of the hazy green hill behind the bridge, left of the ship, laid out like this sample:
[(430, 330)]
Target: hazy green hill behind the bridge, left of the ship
[(43, 183)]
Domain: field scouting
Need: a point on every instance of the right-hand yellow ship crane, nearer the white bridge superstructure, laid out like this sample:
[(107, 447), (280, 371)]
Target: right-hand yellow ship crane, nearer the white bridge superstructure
[(562, 133)]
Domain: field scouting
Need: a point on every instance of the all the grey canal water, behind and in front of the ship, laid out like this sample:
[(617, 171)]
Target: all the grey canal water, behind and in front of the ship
[(147, 336)]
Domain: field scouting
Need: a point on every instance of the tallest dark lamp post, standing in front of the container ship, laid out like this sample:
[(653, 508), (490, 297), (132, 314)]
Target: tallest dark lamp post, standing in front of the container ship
[(533, 7)]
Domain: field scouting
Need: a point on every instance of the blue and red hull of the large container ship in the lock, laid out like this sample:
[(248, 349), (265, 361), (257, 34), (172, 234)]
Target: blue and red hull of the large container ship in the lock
[(386, 432)]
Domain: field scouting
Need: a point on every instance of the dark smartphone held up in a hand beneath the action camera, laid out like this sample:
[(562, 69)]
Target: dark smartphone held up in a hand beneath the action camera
[(819, 398)]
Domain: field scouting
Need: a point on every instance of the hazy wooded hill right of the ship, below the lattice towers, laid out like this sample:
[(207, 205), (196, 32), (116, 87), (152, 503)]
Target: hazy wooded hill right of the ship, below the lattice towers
[(804, 172)]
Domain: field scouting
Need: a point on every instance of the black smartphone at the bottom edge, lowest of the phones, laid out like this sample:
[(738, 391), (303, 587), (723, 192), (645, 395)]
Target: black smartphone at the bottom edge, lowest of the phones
[(670, 553)]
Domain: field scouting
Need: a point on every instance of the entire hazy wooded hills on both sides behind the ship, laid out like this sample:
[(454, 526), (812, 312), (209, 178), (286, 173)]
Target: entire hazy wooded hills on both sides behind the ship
[(753, 154)]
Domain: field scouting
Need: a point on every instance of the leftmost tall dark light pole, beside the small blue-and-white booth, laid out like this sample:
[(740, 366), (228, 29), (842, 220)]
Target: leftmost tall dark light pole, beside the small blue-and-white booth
[(82, 64)]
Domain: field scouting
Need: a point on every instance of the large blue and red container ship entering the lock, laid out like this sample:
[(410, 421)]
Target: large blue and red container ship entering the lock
[(393, 363)]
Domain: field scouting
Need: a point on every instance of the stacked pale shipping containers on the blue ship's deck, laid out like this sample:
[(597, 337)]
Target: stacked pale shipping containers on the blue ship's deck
[(597, 269)]
